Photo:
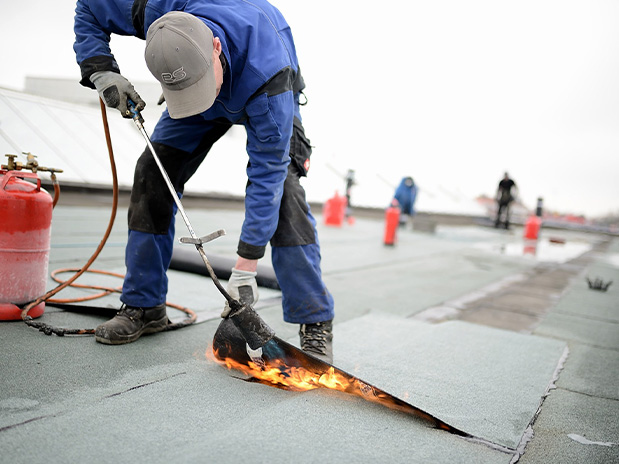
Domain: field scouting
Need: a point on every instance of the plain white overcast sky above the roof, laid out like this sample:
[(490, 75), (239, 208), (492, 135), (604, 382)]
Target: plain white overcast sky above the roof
[(451, 92)]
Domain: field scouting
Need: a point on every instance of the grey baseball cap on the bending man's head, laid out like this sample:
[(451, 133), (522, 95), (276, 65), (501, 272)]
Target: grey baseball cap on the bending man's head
[(179, 53)]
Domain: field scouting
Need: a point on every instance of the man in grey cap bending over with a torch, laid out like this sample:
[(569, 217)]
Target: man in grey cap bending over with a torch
[(219, 63)]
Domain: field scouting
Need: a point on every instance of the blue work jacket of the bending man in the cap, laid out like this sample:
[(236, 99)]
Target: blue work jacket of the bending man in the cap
[(260, 88)]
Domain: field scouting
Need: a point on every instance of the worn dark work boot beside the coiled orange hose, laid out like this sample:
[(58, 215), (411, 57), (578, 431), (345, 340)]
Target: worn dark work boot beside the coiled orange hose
[(130, 323)]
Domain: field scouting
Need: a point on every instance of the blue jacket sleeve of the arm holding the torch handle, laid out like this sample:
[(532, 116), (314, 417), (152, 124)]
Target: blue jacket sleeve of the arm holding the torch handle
[(92, 40)]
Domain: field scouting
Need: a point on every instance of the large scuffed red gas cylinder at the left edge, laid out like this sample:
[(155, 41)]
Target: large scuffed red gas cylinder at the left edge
[(25, 228)]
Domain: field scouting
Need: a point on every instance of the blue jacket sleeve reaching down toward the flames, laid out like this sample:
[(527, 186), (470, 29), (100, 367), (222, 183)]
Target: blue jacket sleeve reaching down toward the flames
[(269, 129)]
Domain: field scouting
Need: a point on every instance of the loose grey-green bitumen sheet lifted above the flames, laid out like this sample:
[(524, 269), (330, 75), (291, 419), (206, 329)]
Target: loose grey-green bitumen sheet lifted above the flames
[(457, 370)]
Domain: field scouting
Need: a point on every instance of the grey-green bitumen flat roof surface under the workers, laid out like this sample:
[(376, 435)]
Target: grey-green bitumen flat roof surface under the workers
[(401, 325)]
